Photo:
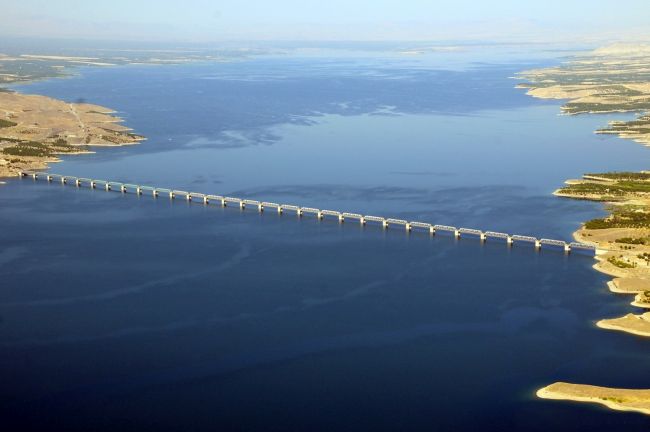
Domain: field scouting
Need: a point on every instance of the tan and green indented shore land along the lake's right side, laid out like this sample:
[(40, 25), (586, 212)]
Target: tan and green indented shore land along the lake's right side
[(610, 79)]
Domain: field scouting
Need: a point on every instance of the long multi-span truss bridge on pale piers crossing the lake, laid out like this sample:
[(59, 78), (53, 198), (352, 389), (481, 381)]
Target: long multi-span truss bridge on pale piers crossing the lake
[(408, 226)]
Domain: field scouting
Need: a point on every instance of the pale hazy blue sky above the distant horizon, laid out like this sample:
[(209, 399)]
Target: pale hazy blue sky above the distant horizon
[(328, 20)]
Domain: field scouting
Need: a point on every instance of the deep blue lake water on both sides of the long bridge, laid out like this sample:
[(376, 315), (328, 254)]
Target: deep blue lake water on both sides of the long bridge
[(128, 313)]
